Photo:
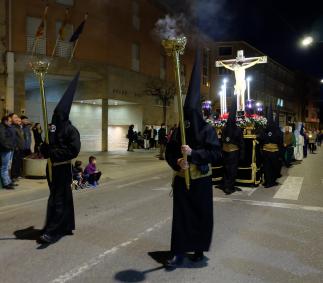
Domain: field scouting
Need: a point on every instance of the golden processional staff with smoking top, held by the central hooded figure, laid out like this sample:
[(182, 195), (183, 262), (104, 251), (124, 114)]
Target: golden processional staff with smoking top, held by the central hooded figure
[(176, 47)]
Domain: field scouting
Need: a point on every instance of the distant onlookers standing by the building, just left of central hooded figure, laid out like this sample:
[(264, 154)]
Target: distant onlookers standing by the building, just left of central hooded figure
[(150, 138)]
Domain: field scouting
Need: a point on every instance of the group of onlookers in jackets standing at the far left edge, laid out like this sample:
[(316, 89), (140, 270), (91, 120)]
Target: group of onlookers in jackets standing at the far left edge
[(16, 135)]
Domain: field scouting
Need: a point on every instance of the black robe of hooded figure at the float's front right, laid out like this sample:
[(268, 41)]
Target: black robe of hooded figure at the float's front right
[(271, 160)]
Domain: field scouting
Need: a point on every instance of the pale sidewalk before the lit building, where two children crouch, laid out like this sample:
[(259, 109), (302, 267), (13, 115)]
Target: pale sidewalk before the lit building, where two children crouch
[(115, 166)]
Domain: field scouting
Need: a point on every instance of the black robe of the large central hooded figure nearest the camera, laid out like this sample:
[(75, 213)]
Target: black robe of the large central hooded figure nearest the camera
[(193, 209)]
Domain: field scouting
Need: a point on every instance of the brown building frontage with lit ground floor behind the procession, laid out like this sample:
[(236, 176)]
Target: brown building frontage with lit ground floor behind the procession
[(118, 55)]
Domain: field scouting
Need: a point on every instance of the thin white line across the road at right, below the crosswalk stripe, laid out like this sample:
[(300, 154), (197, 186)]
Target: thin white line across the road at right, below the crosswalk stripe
[(271, 204)]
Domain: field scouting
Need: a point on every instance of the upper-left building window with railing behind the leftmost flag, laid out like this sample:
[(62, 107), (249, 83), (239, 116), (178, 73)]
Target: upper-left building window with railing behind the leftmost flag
[(31, 29)]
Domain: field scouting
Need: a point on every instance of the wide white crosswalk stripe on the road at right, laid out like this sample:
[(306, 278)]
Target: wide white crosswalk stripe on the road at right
[(290, 189)]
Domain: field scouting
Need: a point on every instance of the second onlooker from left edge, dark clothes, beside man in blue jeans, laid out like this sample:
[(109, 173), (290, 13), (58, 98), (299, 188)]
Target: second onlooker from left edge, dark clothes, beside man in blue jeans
[(17, 160)]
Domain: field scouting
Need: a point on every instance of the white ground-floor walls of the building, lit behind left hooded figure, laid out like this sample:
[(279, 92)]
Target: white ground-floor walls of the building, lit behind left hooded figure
[(88, 119)]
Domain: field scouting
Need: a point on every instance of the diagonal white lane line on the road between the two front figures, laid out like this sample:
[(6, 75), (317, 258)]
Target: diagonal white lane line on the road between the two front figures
[(77, 271)]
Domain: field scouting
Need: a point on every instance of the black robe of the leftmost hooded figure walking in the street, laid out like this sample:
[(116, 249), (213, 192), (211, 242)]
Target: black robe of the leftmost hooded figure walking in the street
[(64, 146)]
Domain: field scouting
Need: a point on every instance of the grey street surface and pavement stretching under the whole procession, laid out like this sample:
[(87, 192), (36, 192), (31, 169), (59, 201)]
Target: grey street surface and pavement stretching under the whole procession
[(123, 230)]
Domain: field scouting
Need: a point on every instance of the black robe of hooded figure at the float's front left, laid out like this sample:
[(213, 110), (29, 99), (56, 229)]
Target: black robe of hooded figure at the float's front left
[(234, 136)]
